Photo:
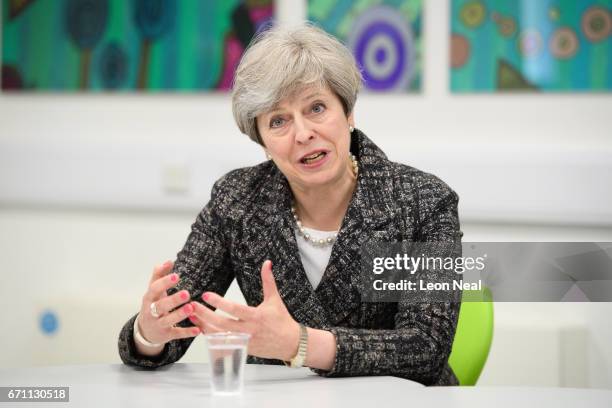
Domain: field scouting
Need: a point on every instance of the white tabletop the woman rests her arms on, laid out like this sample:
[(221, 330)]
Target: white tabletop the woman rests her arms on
[(186, 385)]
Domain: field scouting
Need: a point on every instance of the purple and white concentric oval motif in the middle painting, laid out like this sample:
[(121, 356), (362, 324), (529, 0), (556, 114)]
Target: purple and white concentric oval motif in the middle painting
[(381, 40)]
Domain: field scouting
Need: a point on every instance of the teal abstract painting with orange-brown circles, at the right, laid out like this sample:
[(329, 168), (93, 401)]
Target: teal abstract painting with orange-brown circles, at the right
[(531, 45)]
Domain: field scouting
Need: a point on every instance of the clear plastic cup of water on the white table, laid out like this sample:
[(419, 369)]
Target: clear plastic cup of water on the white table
[(227, 352)]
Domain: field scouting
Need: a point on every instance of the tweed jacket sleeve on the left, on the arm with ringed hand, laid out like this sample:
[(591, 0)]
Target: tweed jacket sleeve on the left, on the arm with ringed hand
[(202, 265)]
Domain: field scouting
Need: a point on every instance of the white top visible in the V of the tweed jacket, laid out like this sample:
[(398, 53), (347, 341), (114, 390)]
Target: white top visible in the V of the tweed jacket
[(314, 258)]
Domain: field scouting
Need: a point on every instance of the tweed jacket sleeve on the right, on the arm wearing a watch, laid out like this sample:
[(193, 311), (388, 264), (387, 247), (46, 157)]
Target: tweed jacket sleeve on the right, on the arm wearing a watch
[(420, 343)]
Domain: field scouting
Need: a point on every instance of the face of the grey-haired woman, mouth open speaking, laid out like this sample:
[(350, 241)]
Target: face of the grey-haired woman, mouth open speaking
[(308, 138)]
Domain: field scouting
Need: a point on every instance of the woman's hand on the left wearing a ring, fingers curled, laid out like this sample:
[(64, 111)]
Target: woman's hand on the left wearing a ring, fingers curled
[(161, 330)]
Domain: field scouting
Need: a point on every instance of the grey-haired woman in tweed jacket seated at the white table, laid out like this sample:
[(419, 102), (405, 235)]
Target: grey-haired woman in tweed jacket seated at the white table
[(289, 231)]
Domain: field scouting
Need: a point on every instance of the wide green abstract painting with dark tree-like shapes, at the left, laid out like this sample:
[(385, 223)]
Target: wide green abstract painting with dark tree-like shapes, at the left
[(101, 45)]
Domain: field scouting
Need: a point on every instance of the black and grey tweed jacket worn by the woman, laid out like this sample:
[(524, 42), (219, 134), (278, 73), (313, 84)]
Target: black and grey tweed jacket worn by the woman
[(248, 220)]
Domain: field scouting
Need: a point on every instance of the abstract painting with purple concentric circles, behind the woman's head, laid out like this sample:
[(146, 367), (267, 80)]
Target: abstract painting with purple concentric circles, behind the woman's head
[(384, 36)]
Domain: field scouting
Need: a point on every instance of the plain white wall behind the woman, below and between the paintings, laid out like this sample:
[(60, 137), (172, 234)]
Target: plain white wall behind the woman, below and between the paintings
[(77, 173)]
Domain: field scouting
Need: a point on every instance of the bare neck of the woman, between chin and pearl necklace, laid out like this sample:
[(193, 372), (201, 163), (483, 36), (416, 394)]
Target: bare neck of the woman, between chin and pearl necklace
[(323, 208)]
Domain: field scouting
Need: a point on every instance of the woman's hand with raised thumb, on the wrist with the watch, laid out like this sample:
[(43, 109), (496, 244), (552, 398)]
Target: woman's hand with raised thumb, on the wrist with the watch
[(274, 333)]
